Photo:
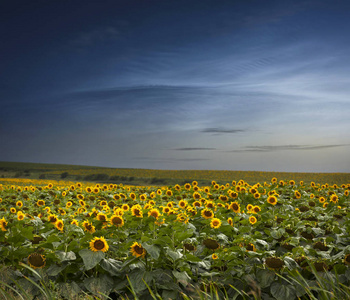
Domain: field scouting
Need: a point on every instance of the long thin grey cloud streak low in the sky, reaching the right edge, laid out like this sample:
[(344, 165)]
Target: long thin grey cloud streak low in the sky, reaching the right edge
[(286, 147)]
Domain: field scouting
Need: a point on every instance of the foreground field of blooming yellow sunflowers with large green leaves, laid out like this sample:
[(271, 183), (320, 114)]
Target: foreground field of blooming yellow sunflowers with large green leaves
[(273, 240)]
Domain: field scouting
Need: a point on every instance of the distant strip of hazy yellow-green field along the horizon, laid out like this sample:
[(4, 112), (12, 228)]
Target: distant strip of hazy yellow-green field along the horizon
[(154, 177)]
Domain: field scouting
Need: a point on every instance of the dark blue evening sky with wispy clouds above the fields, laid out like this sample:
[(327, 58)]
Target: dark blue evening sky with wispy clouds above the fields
[(205, 85)]
